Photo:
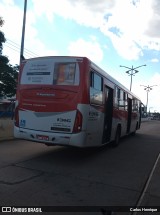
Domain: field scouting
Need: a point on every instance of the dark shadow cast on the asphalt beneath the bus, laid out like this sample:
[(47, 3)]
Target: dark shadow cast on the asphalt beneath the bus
[(80, 156)]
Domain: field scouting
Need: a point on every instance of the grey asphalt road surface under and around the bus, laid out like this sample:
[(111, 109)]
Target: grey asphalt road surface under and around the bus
[(32, 174)]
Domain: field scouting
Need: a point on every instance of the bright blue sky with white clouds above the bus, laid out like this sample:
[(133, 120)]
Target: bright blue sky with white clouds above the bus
[(109, 32)]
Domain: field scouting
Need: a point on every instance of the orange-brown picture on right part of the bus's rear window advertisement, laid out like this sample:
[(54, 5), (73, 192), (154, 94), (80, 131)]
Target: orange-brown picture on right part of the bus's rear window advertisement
[(65, 74)]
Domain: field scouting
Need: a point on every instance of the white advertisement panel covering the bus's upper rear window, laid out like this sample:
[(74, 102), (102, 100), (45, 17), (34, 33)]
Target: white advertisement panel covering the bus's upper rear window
[(46, 71)]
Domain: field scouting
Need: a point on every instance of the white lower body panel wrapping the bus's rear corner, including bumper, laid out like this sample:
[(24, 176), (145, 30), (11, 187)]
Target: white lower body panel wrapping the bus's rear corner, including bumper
[(37, 127)]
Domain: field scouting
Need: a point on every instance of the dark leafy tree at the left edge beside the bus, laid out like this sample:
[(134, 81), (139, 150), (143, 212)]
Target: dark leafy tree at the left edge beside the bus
[(8, 73)]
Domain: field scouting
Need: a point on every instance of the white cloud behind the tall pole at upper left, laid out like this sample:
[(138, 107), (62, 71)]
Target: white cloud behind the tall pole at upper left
[(13, 31)]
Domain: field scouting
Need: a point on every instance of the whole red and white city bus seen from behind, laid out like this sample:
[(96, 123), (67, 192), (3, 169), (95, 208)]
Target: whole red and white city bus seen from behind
[(71, 101)]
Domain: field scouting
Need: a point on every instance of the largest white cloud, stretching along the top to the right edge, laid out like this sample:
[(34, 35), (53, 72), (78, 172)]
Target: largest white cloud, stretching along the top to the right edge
[(135, 20)]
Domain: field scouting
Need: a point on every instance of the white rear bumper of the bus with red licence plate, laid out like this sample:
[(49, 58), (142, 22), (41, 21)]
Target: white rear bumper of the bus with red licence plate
[(48, 138)]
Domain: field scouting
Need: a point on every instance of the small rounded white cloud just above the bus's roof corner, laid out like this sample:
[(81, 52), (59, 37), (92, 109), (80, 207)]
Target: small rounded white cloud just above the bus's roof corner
[(90, 49)]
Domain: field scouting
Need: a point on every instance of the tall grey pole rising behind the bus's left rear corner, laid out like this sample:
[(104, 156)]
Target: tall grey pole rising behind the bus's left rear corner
[(23, 32)]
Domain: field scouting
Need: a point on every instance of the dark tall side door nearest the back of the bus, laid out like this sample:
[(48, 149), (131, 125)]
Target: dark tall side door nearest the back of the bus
[(108, 114)]
